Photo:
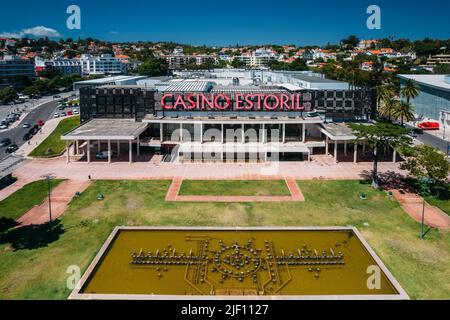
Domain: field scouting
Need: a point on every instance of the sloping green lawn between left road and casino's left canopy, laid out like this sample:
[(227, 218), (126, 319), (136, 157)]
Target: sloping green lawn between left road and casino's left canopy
[(54, 141)]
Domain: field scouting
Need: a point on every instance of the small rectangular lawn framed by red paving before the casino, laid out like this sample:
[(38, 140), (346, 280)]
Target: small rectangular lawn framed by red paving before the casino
[(234, 188)]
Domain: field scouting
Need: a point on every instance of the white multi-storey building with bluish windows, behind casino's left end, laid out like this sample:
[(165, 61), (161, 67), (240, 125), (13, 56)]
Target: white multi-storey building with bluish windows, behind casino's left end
[(104, 64)]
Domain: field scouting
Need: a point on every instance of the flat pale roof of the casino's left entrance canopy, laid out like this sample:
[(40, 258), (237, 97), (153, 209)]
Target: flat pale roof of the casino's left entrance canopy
[(104, 129)]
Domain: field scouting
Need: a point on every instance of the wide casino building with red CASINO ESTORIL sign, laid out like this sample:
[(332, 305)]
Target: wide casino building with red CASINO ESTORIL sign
[(221, 115)]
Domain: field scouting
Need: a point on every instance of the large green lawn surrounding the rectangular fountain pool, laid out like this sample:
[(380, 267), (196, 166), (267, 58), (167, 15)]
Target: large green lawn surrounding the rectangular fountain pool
[(421, 266)]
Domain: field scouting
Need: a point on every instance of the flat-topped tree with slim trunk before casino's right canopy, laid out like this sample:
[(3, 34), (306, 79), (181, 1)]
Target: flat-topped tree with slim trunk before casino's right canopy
[(378, 136)]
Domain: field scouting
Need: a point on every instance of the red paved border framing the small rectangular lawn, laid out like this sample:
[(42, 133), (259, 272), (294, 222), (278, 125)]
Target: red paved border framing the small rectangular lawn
[(296, 194)]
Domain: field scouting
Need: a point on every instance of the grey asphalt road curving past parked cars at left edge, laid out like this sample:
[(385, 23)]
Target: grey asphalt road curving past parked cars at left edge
[(16, 134)]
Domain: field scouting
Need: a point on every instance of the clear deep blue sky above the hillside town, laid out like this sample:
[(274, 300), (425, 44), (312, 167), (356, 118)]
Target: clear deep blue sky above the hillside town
[(229, 22)]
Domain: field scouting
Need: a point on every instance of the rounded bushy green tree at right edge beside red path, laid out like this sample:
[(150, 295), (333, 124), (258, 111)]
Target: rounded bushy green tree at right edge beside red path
[(427, 162)]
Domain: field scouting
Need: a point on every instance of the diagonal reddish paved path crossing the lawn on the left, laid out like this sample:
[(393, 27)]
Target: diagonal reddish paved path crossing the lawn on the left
[(60, 199)]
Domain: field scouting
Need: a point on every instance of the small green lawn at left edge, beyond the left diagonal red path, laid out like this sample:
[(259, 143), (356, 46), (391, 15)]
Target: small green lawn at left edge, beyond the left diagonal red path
[(24, 199)]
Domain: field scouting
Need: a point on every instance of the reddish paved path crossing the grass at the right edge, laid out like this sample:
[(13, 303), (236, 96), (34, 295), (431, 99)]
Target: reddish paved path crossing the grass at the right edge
[(412, 204)]
